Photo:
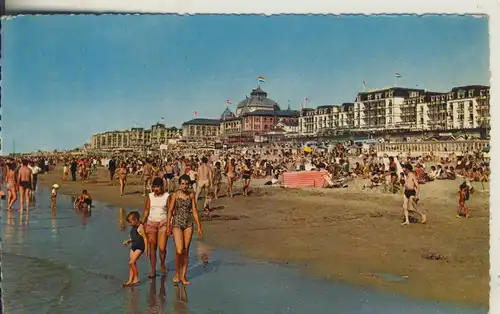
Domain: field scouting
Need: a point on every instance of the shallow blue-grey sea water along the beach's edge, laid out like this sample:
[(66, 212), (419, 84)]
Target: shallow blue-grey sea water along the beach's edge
[(69, 263)]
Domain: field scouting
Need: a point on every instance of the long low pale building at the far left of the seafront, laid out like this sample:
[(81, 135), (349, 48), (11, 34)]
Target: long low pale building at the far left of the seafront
[(135, 138)]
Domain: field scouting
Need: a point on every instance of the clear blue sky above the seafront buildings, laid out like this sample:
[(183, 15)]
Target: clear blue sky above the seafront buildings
[(67, 77)]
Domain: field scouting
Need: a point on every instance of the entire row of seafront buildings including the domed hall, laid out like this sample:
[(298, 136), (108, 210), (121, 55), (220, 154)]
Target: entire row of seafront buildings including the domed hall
[(259, 118)]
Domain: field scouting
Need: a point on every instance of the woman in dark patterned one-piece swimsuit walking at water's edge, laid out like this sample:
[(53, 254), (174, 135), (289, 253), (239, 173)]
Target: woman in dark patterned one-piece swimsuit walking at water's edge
[(182, 211)]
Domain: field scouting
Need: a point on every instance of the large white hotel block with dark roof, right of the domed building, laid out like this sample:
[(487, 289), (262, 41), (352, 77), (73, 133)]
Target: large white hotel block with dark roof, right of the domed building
[(464, 107)]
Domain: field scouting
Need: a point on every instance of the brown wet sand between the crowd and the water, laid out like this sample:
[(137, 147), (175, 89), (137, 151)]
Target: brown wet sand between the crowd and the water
[(346, 235)]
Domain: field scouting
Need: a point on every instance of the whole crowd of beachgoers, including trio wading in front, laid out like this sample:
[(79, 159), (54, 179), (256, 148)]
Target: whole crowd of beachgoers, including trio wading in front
[(172, 182)]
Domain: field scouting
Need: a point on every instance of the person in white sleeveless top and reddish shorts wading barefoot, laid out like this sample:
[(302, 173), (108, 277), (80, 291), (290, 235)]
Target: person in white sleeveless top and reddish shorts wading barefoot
[(155, 221)]
